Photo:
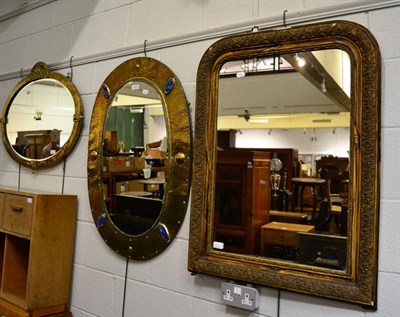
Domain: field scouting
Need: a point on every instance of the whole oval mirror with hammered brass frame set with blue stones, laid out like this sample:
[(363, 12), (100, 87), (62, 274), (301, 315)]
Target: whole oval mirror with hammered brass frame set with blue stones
[(139, 158)]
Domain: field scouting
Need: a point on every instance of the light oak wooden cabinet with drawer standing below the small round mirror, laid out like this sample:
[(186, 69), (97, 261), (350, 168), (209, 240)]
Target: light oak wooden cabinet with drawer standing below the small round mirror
[(36, 250)]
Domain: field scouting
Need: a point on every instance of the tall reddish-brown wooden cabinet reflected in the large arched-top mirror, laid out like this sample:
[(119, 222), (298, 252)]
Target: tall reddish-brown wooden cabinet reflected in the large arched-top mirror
[(242, 198)]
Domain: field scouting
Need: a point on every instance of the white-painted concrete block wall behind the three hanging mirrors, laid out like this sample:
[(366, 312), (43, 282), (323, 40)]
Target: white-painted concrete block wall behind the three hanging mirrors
[(162, 286)]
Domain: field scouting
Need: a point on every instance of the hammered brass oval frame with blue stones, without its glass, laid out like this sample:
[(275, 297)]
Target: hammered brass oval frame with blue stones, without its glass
[(168, 86)]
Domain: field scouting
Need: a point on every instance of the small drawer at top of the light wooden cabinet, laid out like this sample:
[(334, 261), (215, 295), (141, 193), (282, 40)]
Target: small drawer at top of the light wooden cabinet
[(17, 214)]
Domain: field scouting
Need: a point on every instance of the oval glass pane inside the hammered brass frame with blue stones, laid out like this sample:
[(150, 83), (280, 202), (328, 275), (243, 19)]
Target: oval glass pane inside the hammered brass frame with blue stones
[(135, 151)]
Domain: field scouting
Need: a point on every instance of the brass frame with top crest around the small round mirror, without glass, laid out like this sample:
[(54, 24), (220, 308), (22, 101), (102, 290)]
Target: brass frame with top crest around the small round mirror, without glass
[(41, 71)]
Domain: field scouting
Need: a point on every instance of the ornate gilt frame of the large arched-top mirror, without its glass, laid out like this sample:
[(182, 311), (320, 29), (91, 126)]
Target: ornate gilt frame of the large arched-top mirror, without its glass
[(358, 283)]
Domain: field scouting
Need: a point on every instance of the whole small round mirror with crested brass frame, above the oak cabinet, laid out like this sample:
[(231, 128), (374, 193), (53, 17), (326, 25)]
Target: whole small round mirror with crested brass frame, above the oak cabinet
[(42, 118)]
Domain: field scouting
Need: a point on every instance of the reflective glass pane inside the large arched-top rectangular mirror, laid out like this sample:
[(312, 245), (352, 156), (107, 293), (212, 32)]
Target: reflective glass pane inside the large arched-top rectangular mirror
[(300, 102)]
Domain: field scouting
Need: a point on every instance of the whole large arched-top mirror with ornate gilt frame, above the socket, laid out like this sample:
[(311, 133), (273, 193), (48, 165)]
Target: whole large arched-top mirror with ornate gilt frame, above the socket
[(286, 161)]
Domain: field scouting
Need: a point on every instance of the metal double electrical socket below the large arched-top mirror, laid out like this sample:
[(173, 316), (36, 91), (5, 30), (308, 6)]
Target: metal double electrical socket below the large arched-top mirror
[(240, 296)]
